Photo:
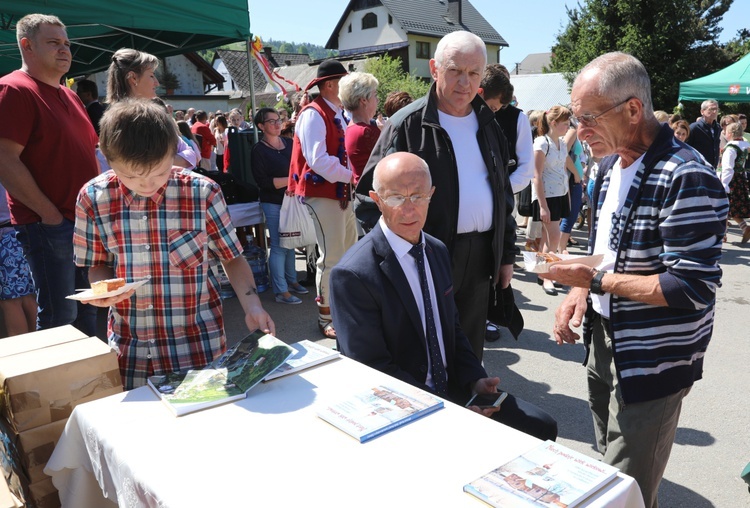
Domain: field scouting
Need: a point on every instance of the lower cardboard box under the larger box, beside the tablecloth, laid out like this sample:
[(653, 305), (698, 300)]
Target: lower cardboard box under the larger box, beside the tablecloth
[(30, 450)]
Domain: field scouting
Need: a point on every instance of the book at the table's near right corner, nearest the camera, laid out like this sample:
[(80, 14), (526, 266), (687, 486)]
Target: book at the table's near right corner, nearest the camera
[(547, 475)]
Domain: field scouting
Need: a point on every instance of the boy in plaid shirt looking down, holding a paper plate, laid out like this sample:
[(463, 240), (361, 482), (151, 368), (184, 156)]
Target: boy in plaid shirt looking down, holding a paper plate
[(147, 219)]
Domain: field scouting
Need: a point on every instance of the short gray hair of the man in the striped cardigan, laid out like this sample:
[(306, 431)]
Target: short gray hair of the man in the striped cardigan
[(621, 76)]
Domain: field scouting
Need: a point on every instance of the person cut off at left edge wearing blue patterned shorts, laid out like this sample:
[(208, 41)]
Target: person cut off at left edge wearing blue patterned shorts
[(17, 294)]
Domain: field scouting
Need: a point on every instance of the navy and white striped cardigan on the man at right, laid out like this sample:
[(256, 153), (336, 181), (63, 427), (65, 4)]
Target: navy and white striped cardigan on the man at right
[(672, 224)]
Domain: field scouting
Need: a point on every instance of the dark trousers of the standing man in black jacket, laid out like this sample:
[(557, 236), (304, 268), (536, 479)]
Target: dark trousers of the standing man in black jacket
[(472, 265)]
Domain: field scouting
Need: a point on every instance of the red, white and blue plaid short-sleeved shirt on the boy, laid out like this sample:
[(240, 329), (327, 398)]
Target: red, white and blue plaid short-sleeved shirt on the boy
[(175, 321)]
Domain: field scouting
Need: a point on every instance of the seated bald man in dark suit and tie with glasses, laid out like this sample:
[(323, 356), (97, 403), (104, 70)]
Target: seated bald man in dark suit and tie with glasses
[(400, 318)]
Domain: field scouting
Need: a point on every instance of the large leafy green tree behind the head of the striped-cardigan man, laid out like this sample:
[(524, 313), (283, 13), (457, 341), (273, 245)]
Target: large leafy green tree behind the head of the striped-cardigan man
[(676, 40)]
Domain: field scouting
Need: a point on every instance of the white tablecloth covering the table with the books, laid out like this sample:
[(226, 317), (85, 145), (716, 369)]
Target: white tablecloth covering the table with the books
[(271, 450)]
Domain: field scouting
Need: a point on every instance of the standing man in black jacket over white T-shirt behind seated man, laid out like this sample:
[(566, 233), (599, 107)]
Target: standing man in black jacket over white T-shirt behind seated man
[(455, 132)]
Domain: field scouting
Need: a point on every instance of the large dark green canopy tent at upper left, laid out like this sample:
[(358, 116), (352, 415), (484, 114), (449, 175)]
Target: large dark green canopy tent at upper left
[(98, 28)]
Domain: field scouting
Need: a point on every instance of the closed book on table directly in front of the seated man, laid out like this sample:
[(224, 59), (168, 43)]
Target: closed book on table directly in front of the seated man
[(379, 409)]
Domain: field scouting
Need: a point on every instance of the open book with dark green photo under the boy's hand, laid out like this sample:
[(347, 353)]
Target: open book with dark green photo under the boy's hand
[(228, 378)]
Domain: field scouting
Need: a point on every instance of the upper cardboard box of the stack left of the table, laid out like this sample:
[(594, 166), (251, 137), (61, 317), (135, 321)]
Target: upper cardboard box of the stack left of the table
[(43, 385)]
